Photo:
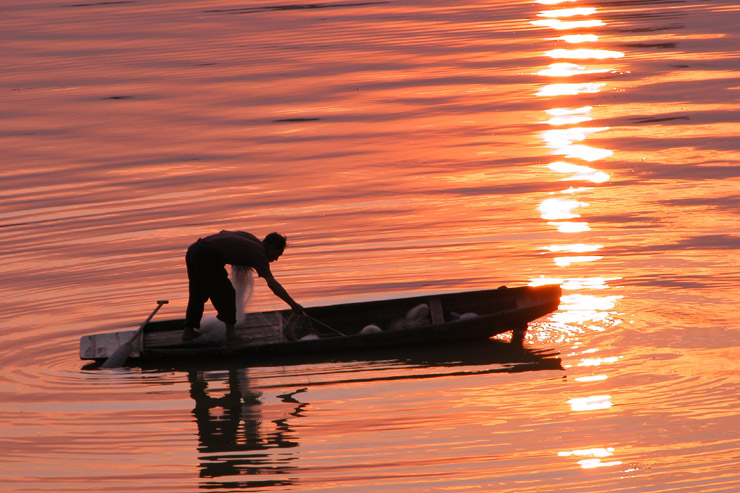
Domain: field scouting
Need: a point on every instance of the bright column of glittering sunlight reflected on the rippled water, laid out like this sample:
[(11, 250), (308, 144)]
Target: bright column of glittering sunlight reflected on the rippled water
[(581, 309)]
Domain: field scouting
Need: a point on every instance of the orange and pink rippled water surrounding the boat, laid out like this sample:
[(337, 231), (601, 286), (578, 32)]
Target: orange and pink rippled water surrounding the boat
[(403, 147)]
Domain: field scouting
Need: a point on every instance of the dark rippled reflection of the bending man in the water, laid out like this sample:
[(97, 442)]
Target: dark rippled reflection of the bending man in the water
[(234, 441)]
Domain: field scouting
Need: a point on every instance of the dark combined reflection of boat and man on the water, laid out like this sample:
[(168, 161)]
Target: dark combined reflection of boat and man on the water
[(247, 440)]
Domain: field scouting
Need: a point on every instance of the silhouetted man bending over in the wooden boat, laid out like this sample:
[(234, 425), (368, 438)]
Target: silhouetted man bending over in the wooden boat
[(206, 260)]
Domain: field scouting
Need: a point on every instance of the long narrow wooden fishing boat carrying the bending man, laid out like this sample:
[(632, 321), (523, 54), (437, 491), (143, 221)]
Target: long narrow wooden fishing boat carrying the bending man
[(406, 323)]
